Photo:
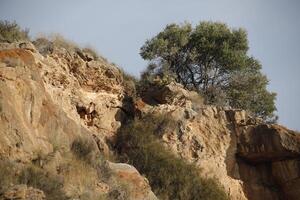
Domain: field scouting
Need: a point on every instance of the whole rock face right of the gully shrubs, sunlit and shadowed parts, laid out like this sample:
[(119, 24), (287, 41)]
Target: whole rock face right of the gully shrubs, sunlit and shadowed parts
[(251, 160)]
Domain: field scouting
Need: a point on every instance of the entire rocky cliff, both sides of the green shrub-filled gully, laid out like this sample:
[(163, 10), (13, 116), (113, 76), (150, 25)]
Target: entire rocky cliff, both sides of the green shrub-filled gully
[(57, 104)]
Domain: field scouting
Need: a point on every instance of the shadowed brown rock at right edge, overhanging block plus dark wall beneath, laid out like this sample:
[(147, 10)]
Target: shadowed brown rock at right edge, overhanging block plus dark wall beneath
[(269, 162)]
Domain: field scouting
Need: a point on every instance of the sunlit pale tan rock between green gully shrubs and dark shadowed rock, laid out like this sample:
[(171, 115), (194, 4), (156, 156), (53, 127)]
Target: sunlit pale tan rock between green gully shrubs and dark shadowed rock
[(207, 139)]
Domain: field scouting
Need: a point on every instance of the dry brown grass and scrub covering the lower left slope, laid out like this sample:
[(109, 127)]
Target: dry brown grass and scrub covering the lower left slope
[(74, 174)]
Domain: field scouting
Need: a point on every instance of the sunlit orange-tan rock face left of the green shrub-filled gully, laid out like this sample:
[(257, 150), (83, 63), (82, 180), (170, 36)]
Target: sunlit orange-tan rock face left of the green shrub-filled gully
[(40, 97)]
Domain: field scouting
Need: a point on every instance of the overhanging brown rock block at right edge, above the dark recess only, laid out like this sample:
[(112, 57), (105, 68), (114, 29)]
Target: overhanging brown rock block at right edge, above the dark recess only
[(268, 143)]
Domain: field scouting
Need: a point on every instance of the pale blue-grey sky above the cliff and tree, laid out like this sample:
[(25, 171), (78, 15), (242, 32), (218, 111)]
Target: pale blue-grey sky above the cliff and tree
[(118, 28)]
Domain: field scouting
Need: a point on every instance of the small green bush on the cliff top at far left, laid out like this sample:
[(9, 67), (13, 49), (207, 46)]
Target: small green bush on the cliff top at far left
[(11, 32)]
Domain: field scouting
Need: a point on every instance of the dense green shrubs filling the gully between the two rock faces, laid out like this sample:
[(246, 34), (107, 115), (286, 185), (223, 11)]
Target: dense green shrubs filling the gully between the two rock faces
[(169, 176)]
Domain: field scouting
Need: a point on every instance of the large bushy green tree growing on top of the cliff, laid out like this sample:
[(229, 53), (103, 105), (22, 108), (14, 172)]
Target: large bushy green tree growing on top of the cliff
[(211, 59)]
